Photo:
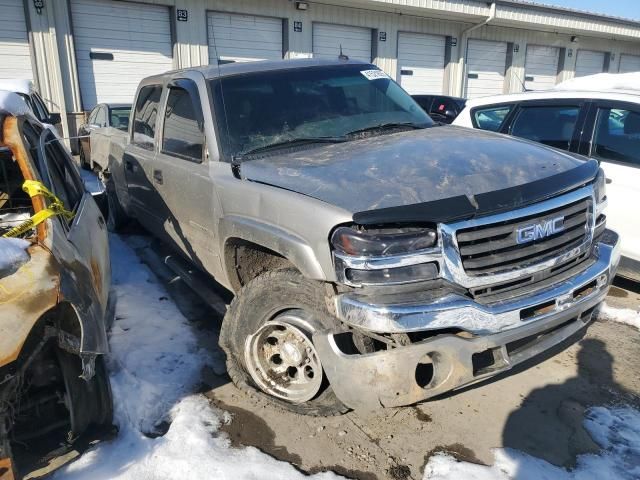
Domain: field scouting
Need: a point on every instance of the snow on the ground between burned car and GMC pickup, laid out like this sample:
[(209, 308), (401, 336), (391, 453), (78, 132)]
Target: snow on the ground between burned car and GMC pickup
[(155, 363)]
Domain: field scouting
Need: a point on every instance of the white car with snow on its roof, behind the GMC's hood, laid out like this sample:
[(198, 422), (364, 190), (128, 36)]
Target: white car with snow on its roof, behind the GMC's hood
[(598, 117)]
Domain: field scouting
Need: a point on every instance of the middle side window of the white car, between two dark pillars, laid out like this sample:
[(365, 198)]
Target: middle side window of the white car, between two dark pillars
[(553, 125)]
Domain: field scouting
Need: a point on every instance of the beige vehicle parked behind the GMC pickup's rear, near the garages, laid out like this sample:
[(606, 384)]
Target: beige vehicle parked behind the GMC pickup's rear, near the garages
[(104, 121)]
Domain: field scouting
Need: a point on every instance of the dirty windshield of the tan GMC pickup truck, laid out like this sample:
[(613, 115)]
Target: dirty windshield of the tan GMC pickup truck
[(265, 108)]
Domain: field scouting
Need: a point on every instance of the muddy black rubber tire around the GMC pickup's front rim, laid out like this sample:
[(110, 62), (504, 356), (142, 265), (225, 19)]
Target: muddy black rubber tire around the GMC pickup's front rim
[(260, 301)]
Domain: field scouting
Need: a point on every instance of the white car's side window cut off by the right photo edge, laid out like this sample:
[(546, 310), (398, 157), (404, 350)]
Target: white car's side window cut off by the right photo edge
[(617, 136)]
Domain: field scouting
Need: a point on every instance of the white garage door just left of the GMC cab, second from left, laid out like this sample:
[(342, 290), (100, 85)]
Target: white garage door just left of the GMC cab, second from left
[(117, 45)]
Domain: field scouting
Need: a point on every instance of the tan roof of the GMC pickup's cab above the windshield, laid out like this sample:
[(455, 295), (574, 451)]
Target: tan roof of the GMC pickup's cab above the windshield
[(214, 71)]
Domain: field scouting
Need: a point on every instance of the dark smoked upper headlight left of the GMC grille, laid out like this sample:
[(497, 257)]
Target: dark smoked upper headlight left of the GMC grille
[(382, 242)]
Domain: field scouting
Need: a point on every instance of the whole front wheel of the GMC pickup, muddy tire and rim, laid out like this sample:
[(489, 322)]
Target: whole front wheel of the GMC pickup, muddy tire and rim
[(267, 337)]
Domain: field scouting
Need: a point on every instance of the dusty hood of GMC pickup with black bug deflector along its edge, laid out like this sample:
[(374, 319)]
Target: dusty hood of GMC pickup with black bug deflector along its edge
[(434, 174)]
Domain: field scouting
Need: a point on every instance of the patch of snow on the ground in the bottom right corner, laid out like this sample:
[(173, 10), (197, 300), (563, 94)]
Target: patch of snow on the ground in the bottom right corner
[(616, 431)]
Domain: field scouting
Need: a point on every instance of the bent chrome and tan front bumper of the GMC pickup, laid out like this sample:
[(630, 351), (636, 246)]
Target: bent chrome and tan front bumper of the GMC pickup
[(498, 336)]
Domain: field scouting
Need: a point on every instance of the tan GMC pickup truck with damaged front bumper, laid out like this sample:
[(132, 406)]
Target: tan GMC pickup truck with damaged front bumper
[(377, 259)]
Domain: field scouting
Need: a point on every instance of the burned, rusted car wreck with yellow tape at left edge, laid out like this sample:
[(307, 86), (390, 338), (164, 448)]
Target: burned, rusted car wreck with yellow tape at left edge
[(54, 299)]
